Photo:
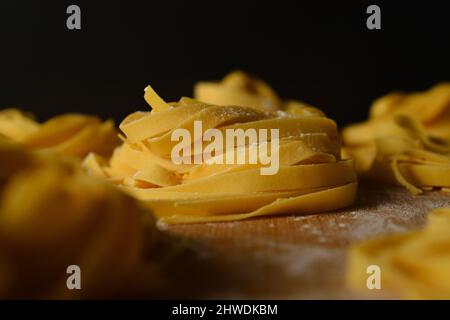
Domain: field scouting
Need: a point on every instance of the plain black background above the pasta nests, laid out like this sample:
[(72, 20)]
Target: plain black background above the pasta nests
[(320, 52)]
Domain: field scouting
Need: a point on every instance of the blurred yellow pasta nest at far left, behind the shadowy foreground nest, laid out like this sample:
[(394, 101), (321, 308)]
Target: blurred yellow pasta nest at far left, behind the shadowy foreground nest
[(69, 134)]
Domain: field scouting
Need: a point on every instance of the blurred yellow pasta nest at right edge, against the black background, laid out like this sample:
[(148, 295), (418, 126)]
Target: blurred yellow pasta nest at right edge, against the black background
[(406, 140)]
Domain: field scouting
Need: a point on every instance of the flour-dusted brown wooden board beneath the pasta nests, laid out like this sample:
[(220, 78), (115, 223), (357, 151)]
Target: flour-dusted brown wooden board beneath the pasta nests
[(292, 257)]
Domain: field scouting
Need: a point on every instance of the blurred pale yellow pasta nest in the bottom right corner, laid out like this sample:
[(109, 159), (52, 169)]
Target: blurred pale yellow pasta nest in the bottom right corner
[(415, 265)]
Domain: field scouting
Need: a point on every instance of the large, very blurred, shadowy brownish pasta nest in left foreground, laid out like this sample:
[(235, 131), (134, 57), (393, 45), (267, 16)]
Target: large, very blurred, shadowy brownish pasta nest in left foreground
[(53, 215)]
